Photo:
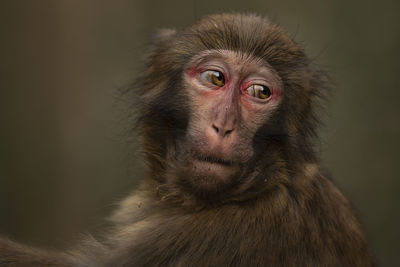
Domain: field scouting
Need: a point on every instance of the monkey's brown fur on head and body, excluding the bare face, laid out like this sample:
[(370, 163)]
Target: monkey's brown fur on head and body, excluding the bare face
[(285, 212)]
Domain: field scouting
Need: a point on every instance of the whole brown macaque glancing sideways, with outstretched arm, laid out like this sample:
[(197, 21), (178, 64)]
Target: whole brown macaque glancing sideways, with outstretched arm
[(226, 120)]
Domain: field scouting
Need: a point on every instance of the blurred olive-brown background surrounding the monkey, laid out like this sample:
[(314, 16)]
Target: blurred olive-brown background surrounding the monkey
[(65, 159)]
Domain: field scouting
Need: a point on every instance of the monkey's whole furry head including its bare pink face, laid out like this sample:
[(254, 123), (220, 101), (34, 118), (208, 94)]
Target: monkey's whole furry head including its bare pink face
[(226, 103)]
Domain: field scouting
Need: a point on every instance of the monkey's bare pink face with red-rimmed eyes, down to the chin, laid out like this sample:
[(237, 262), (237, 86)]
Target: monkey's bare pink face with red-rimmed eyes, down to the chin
[(232, 95)]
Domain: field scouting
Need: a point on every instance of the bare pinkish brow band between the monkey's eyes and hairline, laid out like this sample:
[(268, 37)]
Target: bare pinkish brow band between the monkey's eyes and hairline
[(235, 61)]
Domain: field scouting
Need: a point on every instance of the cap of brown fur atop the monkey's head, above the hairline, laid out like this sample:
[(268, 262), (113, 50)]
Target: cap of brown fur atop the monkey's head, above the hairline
[(247, 33)]
